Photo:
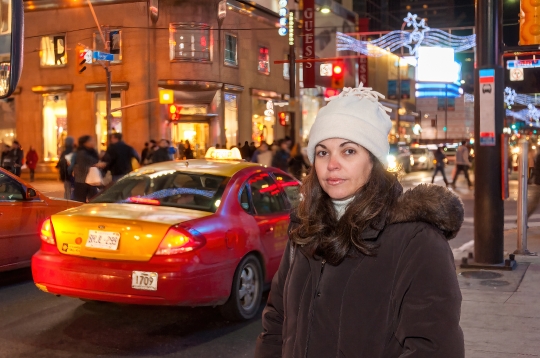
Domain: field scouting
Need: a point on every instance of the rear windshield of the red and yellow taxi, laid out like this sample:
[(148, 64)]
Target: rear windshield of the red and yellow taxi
[(167, 188)]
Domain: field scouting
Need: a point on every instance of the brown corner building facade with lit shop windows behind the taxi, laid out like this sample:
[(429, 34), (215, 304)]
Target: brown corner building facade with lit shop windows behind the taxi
[(219, 72)]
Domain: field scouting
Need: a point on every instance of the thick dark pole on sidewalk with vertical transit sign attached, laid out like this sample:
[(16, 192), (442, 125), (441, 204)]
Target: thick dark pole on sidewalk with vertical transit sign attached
[(488, 124)]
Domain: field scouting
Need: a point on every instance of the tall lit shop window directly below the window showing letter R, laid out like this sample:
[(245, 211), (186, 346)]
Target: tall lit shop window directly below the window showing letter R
[(54, 125)]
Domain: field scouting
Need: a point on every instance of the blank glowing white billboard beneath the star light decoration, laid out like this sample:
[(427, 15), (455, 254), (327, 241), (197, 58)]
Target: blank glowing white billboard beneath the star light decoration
[(436, 64)]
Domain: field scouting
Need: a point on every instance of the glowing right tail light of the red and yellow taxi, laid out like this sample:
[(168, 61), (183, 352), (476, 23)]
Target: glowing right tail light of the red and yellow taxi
[(179, 240)]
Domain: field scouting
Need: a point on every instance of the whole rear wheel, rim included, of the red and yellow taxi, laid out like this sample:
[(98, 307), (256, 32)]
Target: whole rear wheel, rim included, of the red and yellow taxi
[(246, 293)]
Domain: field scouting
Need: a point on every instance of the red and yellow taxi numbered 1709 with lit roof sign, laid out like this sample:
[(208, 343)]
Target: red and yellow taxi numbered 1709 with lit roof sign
[(197, 232)]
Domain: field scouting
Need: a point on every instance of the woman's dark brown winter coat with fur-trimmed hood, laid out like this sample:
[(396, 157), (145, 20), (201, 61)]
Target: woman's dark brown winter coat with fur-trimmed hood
[(403, 303)]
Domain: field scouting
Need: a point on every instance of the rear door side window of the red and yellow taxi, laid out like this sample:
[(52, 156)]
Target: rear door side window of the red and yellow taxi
[(265, 195)]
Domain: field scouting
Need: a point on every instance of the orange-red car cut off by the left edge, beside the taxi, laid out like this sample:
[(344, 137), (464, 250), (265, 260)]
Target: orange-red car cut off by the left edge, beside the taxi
[(22, 211)]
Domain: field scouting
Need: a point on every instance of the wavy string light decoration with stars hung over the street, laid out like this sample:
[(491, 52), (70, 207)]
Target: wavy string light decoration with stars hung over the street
[(421, 35)]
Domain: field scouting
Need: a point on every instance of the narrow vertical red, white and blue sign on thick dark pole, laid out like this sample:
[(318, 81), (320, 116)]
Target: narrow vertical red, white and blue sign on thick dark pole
[(487, 107)]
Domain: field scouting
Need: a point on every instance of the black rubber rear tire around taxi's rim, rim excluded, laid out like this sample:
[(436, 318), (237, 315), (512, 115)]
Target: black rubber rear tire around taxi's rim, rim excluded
[(232, 310)]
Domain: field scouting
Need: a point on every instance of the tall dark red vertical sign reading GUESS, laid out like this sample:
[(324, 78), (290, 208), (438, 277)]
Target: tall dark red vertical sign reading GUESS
[(308, 33)]
